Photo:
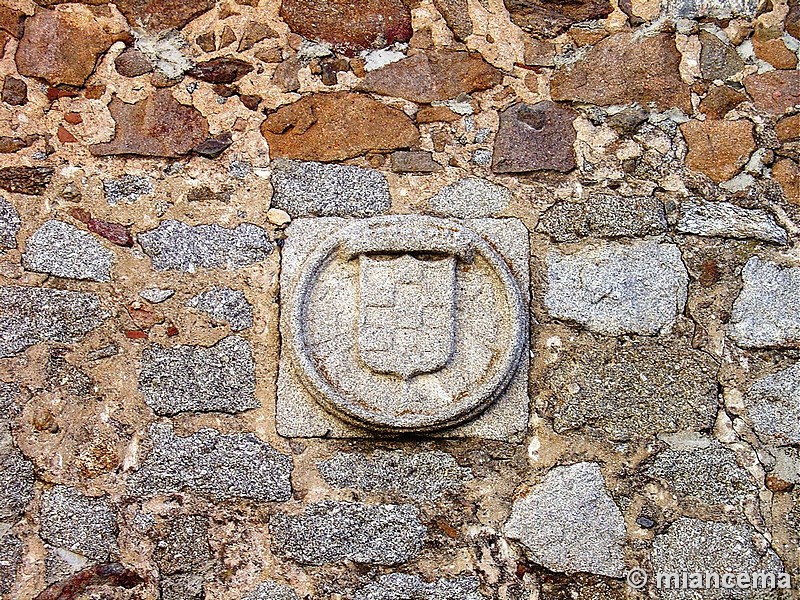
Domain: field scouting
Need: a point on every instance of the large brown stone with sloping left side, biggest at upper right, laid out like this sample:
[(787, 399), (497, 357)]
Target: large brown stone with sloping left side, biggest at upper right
[(625, 68)]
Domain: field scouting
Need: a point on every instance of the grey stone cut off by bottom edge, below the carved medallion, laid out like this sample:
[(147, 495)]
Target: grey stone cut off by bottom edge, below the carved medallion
[(400, 586)]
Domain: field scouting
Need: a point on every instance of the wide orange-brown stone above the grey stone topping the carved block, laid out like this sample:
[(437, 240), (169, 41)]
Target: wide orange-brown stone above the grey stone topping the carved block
[(337, 126)]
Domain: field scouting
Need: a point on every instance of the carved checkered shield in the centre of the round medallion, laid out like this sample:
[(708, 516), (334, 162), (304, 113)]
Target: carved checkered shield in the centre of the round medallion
[(407, 311)]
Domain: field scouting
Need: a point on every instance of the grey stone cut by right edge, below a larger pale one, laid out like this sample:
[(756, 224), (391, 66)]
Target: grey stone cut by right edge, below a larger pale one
[(773, 405)]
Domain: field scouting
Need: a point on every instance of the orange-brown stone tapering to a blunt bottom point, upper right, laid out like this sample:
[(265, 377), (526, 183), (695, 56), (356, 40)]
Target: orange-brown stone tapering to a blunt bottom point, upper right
[(718, 148)]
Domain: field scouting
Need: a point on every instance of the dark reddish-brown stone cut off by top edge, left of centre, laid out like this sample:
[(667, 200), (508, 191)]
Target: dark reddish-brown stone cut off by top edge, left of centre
[(350, 26)]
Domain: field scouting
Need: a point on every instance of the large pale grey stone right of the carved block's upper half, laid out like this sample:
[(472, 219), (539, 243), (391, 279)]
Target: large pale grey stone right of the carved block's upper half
[(616, 288)]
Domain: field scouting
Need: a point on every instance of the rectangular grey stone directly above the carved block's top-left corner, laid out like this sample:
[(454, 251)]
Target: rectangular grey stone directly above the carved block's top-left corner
[(310, 188)]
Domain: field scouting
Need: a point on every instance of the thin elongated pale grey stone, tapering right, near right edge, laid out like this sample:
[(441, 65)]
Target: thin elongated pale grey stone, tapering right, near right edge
[(722, 219)]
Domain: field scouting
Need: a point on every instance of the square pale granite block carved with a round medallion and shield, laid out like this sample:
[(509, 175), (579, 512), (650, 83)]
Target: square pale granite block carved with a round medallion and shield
[(404, 324)]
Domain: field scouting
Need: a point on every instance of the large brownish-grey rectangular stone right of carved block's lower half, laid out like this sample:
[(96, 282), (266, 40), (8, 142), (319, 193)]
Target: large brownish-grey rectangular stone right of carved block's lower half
[(625, 390)]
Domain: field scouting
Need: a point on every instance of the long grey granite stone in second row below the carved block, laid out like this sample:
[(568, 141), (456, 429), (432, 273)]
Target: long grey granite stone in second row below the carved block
[(335, 532)]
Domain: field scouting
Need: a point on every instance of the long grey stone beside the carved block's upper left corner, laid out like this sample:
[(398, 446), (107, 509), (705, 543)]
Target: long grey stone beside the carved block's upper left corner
[(182, 247)]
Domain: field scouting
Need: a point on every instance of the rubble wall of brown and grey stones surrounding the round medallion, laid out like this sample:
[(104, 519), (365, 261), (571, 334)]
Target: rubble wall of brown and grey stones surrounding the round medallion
[(156, 158)]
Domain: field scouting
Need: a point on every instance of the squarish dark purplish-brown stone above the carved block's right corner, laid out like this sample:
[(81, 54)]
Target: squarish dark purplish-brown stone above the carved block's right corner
[(535, 137)]
